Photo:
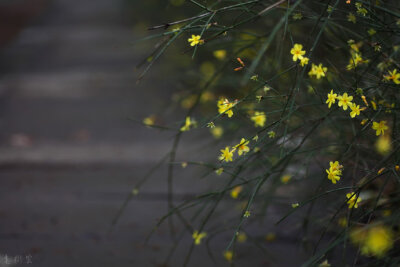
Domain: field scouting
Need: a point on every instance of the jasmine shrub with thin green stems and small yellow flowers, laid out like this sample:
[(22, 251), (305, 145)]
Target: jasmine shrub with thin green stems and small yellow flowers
[(302, 101)]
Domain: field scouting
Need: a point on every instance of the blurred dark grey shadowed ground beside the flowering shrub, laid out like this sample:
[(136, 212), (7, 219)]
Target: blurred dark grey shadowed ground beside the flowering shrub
[(69, 155)]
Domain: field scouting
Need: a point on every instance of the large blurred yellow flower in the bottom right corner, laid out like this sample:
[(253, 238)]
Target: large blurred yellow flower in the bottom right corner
[(378, 241)]
